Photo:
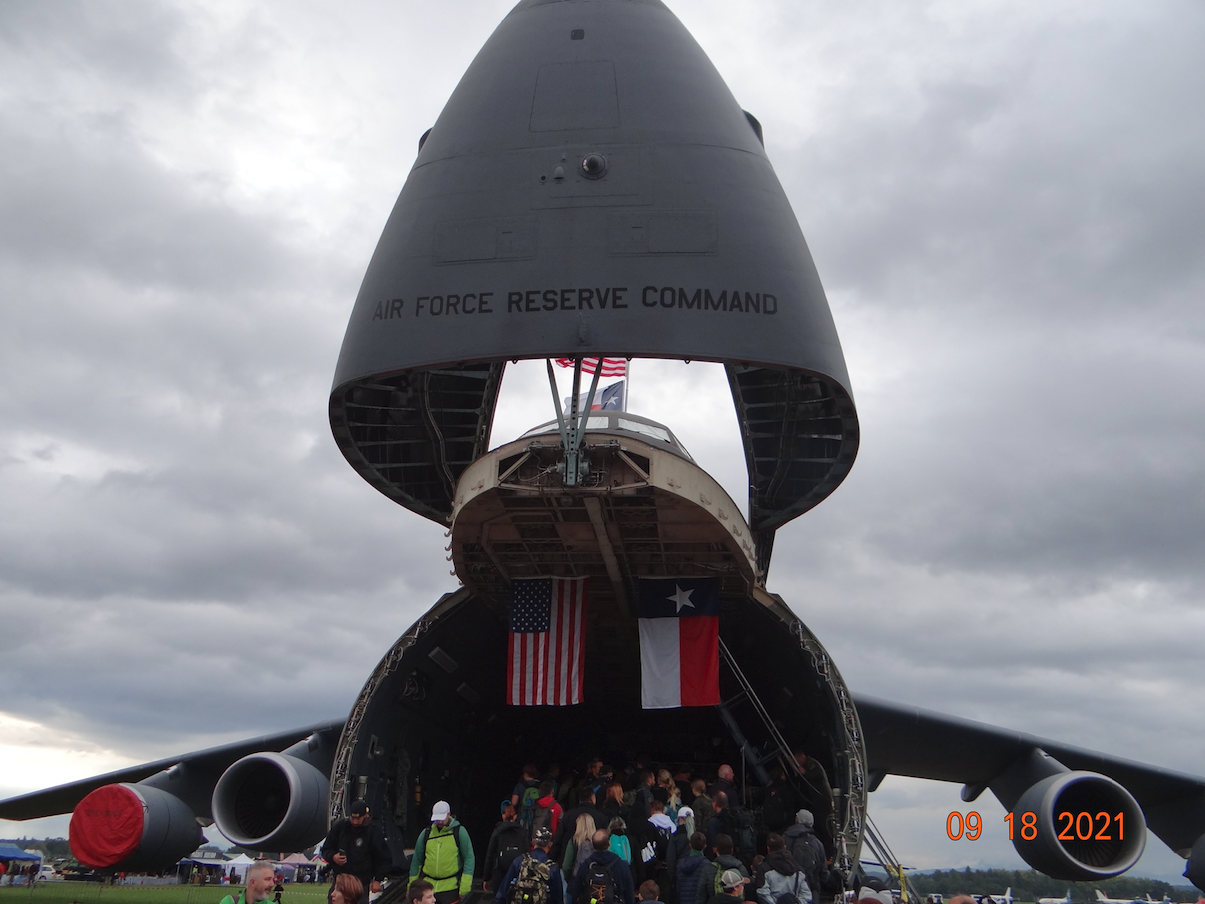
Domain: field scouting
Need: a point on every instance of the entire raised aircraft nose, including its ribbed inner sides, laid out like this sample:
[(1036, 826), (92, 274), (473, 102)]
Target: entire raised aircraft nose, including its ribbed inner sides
[(592, 187)]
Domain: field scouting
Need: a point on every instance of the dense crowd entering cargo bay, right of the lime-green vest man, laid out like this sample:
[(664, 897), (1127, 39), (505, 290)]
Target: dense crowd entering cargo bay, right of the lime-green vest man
[(659, 836)]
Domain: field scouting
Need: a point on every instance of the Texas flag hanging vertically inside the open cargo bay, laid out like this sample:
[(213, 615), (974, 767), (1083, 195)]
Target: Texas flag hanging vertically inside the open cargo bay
[(679, 643)]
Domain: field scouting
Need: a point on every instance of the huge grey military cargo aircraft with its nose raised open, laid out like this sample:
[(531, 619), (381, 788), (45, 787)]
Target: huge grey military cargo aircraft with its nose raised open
[(593, 190)]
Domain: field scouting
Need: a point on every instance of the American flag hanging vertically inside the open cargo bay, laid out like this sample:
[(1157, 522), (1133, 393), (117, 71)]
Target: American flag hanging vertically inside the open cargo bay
[(548, 643)]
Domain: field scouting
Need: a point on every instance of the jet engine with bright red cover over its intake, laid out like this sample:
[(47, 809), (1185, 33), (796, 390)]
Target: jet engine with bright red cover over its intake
[(133, 827)]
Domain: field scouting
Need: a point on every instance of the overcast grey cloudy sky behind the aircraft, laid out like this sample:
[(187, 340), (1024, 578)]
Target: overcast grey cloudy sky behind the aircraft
[(1004, 202)]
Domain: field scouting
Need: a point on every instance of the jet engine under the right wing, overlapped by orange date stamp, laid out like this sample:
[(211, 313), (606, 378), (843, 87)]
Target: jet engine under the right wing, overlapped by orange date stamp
[(1079, 826)]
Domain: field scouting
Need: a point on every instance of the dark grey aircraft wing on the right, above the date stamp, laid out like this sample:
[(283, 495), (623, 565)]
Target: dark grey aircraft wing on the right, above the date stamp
[(907, 741)]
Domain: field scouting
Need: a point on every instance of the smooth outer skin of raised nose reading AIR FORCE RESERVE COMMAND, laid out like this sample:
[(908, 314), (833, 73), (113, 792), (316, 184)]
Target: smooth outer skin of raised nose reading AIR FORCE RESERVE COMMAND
[(591, 146)]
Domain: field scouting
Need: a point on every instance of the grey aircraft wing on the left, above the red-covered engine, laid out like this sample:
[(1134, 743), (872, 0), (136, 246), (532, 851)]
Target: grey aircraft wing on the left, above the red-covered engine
[(63, 799)]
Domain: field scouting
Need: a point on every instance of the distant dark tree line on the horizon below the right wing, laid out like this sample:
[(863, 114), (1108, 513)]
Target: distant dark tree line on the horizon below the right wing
[(1030, 885)]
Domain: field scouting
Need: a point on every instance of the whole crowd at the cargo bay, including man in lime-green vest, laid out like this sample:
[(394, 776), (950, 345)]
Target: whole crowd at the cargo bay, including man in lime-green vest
[(609, 838)]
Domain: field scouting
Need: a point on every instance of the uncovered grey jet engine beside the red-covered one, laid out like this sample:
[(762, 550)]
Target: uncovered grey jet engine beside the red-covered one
[(272, 802)]
